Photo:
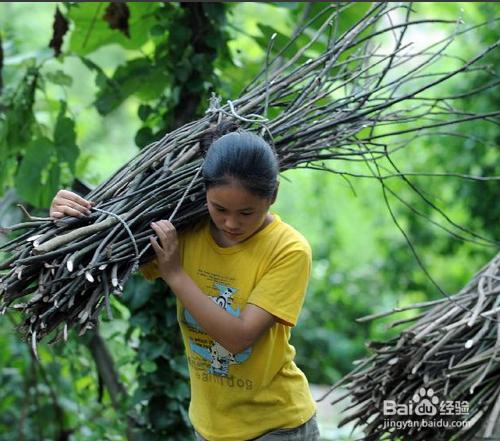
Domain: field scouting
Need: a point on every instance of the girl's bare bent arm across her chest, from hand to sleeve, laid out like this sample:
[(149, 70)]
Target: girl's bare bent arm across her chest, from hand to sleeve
[(233, 333)]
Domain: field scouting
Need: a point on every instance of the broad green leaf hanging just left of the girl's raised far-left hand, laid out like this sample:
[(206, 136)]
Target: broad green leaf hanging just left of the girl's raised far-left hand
[(37, 179)]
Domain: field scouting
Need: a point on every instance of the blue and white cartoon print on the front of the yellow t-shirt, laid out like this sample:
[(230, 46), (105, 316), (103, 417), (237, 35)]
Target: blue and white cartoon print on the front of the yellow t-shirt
[(220, 358)]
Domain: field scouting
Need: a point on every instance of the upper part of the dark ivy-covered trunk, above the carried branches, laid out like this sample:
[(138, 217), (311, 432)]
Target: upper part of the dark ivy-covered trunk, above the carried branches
[(196, 38)]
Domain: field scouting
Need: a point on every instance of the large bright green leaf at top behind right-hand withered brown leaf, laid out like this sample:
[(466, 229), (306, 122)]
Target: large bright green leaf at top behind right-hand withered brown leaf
[(92, 31)]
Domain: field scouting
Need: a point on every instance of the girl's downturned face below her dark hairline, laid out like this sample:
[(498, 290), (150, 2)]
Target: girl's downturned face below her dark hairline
[(236, 212)]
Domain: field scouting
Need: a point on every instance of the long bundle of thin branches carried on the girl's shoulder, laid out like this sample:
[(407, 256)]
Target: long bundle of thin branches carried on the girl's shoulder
[(341, 96)]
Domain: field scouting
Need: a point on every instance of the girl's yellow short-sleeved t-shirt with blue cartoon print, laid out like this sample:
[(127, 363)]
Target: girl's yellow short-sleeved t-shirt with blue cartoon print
[(237, 397)]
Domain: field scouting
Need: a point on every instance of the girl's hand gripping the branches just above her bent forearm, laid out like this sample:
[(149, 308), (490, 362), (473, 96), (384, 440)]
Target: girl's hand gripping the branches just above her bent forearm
[(167, 250)]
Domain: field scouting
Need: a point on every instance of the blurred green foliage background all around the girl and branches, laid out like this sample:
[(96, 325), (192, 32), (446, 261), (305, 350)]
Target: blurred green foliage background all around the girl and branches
[(85, 113)]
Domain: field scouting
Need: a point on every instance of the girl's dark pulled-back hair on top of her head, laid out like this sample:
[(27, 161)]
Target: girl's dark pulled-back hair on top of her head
[(243, 156)]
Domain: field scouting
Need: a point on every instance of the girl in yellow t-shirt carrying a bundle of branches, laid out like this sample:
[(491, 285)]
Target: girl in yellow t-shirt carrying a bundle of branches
[(240, 278)]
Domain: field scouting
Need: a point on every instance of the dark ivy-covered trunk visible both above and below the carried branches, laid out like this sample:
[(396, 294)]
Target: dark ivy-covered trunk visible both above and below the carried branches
[(196, 37)]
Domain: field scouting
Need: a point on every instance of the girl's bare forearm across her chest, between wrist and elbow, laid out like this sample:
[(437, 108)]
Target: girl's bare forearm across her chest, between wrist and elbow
[(224, 328)]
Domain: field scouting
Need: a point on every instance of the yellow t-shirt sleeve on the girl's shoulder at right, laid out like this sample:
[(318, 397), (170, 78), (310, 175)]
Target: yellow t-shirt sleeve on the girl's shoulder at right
[(281, 291)]
